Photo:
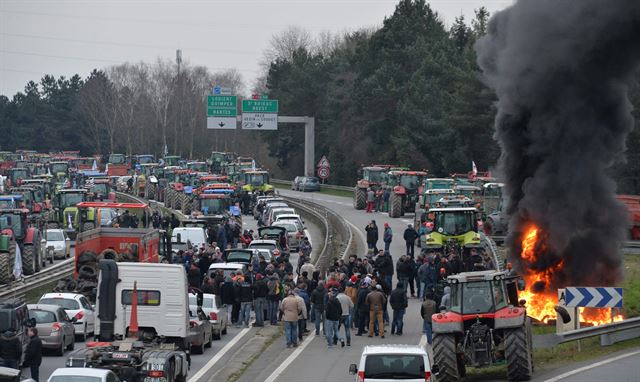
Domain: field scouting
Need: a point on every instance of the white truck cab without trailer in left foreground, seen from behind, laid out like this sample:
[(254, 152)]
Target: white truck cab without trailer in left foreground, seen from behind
[(142, 324)]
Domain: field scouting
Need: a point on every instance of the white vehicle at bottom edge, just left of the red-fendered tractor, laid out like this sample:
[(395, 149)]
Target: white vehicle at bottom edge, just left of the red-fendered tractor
[(382, 363)]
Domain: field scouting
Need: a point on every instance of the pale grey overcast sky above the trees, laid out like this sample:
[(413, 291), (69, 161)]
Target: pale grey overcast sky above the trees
[(67, 37)]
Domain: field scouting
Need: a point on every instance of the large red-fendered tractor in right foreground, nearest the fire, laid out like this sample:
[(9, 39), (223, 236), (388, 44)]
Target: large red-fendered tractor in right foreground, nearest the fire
[(484, 326)]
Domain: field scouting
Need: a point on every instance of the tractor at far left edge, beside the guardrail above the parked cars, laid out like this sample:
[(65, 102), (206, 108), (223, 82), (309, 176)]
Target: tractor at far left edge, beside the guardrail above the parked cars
[(16, 233)]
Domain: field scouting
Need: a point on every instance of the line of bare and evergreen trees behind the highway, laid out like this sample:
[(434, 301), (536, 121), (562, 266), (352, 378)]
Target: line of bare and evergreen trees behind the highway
[(408, 93)]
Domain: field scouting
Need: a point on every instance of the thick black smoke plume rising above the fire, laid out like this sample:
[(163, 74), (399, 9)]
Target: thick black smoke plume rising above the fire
[(560, 69)]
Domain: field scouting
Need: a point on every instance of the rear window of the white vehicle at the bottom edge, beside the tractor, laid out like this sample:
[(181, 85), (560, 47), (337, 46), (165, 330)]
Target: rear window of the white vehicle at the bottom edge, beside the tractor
[(394, 366)]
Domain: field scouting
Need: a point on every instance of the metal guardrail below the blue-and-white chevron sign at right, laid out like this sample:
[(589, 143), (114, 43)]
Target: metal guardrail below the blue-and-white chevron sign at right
[(630, 326)]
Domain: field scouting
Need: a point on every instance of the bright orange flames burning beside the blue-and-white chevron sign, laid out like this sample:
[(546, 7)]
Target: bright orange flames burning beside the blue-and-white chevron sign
[(540, 301)]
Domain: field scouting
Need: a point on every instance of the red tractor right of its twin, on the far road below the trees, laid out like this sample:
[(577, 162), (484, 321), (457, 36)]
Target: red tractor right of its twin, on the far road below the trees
[(405, 188)]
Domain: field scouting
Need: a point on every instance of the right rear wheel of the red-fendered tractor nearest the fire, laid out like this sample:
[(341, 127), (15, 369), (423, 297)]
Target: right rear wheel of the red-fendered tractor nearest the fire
[(517, 350)]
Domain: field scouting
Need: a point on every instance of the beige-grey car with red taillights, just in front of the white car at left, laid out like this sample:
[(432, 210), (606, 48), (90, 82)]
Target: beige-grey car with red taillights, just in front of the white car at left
[(55, 328)]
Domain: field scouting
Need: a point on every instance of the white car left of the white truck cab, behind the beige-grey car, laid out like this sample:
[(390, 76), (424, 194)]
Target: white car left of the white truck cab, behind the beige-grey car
[(77, 306)]
